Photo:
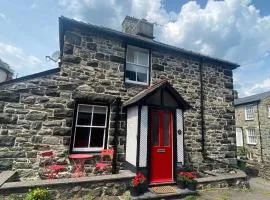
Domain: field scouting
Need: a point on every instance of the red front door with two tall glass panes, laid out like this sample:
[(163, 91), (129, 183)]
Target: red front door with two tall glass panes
[(161, 168)]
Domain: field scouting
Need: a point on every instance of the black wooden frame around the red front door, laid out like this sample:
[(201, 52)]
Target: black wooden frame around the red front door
[(174, 141)]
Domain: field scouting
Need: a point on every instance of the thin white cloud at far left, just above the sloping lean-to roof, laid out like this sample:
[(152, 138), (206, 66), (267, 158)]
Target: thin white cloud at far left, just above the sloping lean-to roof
[(20, 61)]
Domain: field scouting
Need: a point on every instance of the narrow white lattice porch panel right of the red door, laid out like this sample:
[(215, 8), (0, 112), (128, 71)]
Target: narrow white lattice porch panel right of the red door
[(180, 137)]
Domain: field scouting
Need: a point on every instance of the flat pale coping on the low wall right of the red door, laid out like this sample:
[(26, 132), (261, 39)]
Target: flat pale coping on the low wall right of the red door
[(221, 177)]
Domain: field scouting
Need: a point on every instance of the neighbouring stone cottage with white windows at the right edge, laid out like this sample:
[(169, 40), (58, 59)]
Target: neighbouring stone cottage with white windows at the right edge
[(252, 114)]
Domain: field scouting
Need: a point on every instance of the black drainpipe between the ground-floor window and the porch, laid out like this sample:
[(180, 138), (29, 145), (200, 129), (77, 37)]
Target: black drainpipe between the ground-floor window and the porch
[(116, 131)]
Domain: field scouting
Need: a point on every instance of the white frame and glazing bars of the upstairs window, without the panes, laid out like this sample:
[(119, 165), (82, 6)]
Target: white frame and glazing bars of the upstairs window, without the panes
[(138, 65)]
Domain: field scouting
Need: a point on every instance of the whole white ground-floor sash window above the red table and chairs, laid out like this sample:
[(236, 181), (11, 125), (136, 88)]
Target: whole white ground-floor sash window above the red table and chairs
[(90, 128)]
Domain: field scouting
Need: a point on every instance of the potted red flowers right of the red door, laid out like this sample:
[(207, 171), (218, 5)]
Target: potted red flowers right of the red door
[(187, 179)]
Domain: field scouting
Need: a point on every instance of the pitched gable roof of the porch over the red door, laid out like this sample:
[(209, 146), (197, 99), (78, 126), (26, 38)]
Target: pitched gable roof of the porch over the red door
[(143, 95)]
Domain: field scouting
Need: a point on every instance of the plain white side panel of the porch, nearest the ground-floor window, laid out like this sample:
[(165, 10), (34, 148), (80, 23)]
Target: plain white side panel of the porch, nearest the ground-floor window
[(132, 132)]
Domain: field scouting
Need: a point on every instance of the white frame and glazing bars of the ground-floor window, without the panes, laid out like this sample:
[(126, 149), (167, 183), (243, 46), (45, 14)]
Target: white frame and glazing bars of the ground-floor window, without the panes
[(93, 149)]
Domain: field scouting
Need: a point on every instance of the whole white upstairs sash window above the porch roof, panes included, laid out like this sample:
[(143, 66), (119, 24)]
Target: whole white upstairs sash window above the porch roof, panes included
[(137, 65)]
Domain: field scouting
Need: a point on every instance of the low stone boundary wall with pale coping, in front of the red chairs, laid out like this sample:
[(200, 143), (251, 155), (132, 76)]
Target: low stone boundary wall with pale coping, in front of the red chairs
[(73, 188)]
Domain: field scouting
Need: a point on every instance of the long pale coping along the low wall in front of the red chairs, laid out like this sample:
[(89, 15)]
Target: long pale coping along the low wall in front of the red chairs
[(122, 175)]
